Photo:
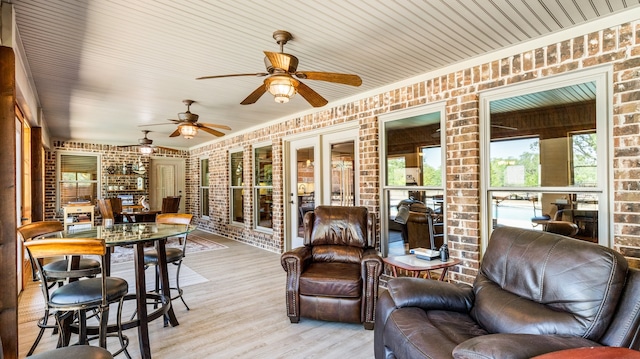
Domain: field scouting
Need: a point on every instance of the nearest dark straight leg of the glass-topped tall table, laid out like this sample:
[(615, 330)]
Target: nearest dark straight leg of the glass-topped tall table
[(141, 301)]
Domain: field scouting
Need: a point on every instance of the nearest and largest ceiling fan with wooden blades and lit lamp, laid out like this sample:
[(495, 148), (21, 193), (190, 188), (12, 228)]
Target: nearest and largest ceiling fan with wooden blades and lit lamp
[(281, 70)]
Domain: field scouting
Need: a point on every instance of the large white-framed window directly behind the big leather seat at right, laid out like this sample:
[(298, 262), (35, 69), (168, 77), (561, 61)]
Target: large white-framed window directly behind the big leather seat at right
[(545, 146)]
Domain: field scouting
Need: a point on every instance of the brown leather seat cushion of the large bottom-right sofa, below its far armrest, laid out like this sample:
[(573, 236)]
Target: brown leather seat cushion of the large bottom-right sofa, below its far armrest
[(412, 332)]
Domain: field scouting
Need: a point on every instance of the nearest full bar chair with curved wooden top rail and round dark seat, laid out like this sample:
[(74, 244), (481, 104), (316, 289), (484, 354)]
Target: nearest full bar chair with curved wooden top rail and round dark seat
[(80, 294)]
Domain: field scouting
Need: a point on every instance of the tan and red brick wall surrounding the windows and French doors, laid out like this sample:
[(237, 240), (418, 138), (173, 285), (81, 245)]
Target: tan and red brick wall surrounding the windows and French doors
[(618, 47)]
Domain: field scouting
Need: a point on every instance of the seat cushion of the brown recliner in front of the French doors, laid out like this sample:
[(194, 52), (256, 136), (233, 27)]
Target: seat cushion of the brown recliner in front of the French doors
[(331, 280)]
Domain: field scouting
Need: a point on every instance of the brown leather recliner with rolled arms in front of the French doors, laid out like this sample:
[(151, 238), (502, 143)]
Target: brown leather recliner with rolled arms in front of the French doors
[(334, 276)]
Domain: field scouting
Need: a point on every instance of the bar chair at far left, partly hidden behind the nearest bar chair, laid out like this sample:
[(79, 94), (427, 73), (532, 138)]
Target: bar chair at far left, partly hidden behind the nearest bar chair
[(38, 230)]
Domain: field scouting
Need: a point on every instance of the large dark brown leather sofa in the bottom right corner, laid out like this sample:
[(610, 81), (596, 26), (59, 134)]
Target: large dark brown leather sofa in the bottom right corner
[(535, 293)]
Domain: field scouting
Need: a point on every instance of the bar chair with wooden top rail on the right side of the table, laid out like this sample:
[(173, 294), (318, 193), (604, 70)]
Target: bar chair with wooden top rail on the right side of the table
[(174, 255)]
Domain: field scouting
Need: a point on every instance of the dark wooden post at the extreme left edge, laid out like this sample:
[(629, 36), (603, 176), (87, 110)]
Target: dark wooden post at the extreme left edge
[(8, 213)]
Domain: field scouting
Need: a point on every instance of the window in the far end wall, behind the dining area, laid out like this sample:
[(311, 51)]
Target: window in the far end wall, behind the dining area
[(77, 178)]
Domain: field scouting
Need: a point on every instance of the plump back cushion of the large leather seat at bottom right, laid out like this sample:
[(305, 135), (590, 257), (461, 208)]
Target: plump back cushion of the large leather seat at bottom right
[(542, 283)]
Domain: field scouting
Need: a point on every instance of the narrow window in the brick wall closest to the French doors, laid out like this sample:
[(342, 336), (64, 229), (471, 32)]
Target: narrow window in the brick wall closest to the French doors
[(263, 186)]
